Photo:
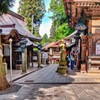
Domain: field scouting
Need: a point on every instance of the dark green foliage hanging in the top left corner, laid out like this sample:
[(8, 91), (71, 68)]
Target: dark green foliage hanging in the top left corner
[(5, 5)]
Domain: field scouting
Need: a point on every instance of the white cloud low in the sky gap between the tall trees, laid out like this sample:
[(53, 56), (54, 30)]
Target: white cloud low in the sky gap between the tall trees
[(45, 28)]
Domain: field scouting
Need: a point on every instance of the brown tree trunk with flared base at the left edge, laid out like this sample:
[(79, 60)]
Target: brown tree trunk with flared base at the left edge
[(3, 81)]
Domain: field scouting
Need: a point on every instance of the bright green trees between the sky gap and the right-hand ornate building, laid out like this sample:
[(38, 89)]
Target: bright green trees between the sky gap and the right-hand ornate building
[(59, 28)]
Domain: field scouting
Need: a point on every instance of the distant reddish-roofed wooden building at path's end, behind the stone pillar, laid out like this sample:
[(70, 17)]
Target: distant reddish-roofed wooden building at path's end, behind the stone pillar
[(53, 48)]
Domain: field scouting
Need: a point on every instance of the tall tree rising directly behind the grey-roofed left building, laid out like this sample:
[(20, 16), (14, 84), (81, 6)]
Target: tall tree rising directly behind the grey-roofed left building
[(33, 11)]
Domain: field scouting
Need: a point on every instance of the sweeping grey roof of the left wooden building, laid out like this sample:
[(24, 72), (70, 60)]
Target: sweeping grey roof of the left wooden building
[(20, 25)]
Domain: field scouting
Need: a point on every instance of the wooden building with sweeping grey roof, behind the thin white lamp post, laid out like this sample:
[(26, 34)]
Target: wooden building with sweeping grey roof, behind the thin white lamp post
[(13, 26)]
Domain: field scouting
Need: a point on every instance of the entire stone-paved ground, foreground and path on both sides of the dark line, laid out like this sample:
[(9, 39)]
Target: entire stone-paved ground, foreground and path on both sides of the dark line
[(46, 84)]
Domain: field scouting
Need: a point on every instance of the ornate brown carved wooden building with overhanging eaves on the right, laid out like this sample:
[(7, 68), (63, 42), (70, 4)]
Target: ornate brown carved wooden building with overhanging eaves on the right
[(84, 15)]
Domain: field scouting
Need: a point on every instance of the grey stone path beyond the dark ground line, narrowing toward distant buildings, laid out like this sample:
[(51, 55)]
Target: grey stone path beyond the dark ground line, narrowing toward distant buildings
[(49, 75)]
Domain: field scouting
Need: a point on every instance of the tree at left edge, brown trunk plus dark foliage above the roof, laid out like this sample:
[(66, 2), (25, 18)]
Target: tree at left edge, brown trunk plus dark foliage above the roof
[(4, 7)]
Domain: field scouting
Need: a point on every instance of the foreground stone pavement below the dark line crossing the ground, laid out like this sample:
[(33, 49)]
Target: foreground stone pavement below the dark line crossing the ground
[(55, 92)]
